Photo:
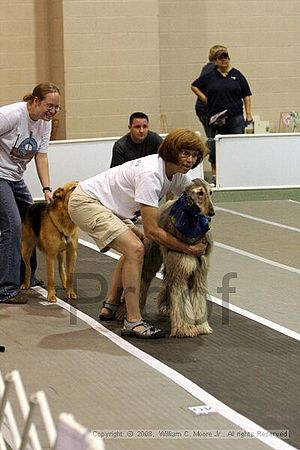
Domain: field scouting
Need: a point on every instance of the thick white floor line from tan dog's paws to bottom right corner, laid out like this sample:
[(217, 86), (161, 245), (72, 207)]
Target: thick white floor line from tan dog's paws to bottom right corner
[(200, 394)]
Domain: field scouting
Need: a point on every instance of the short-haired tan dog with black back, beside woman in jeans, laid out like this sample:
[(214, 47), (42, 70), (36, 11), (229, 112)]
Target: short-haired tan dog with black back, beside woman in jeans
[(50, 228)]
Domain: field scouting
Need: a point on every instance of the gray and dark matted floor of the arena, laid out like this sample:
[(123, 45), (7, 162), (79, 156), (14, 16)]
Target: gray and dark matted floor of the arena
[(109, 384)]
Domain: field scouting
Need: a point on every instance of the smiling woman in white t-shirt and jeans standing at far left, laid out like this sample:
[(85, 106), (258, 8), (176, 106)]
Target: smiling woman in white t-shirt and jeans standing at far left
[(25, 129)]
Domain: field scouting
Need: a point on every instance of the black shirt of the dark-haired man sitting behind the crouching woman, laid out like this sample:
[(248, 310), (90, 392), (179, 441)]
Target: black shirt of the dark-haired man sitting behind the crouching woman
[(125, 149)]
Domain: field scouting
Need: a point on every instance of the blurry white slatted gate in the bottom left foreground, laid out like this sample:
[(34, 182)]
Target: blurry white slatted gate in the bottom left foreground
[(69, 435)]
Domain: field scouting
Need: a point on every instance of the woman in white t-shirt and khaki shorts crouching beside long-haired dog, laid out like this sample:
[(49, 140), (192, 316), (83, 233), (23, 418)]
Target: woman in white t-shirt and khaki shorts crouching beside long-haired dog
[(100, 205)]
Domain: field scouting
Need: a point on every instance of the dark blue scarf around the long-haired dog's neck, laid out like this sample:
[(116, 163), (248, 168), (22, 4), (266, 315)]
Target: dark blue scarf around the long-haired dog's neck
[(188, 219)]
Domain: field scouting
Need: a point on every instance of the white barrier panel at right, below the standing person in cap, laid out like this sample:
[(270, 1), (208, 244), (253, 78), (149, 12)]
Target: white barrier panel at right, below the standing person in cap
[(258, 161)]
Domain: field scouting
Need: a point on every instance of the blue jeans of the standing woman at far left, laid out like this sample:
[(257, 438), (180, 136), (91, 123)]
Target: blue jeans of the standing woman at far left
[(14, 199)]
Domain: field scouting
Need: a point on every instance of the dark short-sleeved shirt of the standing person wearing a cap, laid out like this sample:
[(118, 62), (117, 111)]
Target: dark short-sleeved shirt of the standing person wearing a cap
[(224, 92)]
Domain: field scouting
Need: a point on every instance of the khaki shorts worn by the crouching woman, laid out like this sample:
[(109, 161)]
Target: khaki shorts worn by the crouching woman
[(95, 219)]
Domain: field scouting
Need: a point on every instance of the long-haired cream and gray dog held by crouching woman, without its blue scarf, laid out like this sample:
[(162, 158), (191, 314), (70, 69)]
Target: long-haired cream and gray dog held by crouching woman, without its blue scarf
[(184, 287)]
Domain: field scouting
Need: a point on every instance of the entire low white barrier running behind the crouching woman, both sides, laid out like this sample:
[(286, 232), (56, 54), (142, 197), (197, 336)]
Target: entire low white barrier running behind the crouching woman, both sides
[(243, 161)]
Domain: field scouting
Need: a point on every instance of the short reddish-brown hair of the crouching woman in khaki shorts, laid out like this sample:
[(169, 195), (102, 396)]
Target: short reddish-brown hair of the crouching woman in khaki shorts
[(182, 139)]
